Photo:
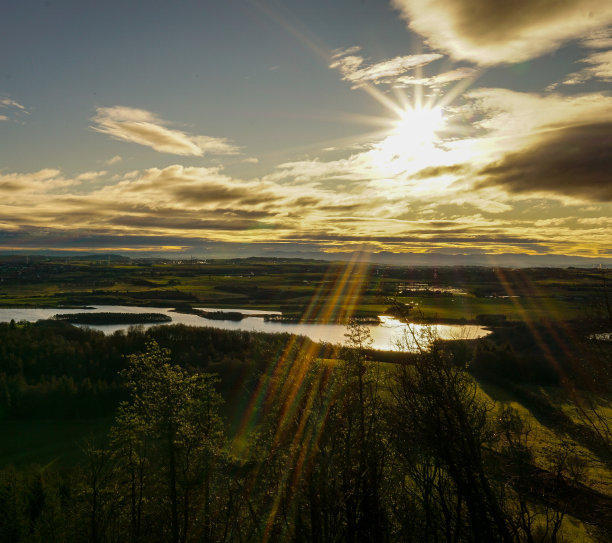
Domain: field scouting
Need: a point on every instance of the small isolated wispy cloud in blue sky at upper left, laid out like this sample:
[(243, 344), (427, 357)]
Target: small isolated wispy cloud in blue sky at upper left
[(145, 128)]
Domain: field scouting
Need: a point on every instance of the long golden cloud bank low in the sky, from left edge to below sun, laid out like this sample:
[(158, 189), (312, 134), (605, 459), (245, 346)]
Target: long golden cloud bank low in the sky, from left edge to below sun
[(177, 200)]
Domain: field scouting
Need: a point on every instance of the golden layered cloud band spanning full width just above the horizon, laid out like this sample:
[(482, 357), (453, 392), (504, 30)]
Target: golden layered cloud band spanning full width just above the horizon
[(180, 204)]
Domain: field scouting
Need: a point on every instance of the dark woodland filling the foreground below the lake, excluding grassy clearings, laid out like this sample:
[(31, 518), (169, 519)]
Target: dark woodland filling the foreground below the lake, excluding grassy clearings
[(236, 436)]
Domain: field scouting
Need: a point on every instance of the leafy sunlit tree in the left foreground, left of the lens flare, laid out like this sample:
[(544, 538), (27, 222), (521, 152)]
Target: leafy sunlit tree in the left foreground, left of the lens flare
[(166, 440)]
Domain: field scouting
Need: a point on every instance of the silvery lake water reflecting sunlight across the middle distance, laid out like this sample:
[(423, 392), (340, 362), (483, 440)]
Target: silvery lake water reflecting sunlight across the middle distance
[(385, 335)]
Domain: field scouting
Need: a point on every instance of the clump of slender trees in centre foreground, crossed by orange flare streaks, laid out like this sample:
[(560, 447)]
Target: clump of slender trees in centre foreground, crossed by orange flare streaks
[(319, 460)]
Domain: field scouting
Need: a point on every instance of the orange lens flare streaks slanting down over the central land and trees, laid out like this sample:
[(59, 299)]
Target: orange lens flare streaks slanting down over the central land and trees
[(290, 388)]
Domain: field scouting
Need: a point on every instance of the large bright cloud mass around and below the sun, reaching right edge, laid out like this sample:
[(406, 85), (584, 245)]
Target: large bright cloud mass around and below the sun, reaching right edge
[(504, 132)]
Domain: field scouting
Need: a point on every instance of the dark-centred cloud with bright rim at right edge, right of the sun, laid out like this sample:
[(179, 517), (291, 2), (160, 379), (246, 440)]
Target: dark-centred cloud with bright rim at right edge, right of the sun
[(531, 145)]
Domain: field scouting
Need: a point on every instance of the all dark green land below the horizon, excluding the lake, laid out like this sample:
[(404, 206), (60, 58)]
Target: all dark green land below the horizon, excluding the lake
[(180, 434)]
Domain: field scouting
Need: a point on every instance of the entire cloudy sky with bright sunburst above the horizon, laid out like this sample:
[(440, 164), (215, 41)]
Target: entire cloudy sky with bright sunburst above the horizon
[(263, 127)]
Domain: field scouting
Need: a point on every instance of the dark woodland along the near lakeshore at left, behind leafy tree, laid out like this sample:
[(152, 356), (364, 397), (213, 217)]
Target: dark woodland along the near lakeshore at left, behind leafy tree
[(51, 369)]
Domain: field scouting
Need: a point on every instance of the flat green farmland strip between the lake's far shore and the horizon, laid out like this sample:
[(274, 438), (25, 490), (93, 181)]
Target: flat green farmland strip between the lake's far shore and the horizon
[(300, 287)]
